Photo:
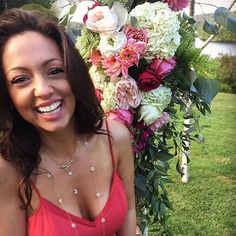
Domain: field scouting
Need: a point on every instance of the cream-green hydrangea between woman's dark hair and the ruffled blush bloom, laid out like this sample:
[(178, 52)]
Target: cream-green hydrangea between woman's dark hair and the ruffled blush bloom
[(108, 102)]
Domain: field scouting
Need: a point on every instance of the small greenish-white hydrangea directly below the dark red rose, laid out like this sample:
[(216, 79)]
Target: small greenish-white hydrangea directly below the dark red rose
[(159, 97)]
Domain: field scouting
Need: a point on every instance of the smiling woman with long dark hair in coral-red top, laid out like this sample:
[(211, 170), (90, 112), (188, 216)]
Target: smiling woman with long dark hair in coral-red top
[(69, 168)]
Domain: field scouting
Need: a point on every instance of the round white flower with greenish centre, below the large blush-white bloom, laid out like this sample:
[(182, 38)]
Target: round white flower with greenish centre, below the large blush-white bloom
[(111, 44)]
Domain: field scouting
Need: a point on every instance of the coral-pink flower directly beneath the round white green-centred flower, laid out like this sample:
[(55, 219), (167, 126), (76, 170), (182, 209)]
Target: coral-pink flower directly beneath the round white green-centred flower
[(112, 66)]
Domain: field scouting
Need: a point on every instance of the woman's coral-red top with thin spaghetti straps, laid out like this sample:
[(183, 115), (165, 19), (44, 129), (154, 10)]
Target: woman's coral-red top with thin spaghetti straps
[(50, 220)]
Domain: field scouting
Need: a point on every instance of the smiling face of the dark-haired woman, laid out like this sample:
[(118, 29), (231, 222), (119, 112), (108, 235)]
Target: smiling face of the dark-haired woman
[(37, 82)]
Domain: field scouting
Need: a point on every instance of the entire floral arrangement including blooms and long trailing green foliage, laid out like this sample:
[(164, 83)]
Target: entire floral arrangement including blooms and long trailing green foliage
[(147, 75)]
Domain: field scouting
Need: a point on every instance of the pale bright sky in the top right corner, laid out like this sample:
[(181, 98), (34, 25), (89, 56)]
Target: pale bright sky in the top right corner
[(211, 9)]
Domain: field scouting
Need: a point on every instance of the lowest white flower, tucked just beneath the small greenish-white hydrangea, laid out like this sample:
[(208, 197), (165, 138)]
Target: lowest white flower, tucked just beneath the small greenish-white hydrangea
[(149, 114)]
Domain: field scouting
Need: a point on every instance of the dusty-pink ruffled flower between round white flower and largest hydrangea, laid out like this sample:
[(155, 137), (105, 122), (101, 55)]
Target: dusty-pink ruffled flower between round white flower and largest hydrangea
[(135, 33)]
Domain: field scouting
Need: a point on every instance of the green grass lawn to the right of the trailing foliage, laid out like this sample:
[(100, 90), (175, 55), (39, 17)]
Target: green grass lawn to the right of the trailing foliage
[(207, 204)]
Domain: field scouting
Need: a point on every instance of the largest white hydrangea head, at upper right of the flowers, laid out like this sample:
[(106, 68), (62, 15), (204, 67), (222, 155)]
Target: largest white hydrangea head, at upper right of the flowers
[(162, 25)]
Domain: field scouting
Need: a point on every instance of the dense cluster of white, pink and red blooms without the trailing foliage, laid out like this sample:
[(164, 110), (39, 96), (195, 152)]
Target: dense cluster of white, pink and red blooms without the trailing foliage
[(129, 57)]
